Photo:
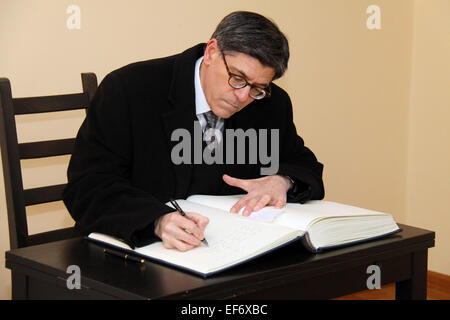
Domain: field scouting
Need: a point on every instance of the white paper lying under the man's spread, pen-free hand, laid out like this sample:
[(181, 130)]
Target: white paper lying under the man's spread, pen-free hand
[(266, 214)]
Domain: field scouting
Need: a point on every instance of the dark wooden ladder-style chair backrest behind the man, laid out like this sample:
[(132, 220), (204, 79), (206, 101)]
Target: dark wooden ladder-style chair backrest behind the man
[(18, 198)]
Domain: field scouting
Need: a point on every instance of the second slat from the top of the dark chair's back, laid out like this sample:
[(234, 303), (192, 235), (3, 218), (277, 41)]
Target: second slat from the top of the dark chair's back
[(41, 149)]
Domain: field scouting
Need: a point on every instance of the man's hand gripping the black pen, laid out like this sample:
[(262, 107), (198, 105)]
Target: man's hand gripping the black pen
[(178, 232)]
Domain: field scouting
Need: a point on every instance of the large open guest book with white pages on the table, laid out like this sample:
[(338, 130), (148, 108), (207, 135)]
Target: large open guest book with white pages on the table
[(234, 239)]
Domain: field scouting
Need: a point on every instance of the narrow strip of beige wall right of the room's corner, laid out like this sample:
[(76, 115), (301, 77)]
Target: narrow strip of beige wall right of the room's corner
[(428, 175)]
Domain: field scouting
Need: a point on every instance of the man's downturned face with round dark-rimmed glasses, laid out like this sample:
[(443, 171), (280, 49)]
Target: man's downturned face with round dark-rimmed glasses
[(221, 97)]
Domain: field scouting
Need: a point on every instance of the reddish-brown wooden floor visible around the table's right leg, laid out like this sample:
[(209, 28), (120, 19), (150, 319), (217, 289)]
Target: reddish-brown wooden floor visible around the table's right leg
[(438, 289)]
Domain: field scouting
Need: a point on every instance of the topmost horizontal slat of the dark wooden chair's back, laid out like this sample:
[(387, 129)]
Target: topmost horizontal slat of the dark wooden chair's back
[(63, 102)]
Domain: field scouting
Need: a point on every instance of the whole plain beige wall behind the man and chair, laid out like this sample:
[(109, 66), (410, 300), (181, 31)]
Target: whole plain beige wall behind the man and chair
[(362, 98)]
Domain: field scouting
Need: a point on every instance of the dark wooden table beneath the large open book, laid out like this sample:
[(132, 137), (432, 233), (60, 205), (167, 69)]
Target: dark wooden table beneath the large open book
[(40, 272)]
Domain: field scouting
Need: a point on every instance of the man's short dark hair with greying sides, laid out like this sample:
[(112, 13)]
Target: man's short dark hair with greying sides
[(255, 35)]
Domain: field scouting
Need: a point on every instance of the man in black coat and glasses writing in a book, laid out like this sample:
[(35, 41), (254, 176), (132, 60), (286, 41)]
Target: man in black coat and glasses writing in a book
[(124, 167)]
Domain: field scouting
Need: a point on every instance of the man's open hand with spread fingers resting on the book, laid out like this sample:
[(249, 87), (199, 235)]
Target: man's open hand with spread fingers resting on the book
[(270, 190)]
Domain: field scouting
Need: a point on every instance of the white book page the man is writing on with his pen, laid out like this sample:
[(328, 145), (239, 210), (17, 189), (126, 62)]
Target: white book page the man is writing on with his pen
[(231, 239)]
